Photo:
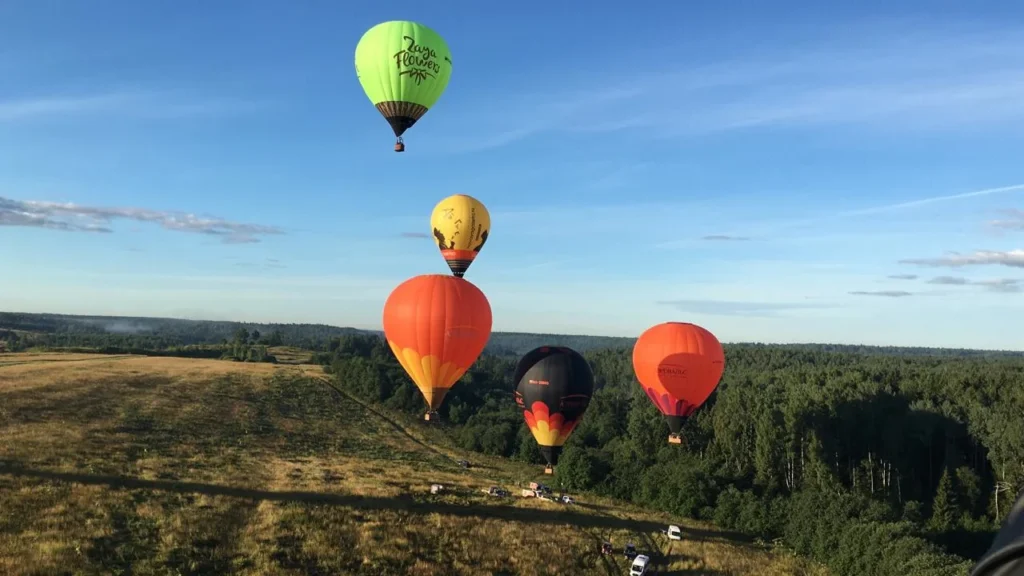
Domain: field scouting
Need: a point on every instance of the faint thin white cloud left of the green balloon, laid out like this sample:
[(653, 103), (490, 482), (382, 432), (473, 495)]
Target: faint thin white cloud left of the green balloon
[(134, 104)]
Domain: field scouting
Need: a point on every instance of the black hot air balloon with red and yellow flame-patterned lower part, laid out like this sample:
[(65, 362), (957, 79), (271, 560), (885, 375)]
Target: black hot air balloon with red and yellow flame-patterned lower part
[(553, 388)]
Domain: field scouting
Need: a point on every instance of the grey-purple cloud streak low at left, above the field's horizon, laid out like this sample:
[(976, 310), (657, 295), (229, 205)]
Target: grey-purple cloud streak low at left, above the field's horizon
[(73, 218)]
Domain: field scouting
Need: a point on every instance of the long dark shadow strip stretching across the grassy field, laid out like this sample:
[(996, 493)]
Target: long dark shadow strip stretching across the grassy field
[(404, 503)]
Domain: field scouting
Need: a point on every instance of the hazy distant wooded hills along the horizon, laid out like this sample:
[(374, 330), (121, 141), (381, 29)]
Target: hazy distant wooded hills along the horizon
[(174, 332)]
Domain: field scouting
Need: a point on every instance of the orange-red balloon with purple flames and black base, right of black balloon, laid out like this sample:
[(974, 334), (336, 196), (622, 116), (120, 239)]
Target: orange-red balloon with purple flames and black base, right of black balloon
[(678, 365)]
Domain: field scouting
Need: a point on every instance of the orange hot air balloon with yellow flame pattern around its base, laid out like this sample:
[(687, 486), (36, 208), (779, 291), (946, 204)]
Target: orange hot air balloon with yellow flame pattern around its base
[(437, 326)]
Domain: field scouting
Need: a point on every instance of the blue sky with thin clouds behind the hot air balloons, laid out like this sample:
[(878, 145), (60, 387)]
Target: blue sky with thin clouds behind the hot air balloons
[(799, 173)]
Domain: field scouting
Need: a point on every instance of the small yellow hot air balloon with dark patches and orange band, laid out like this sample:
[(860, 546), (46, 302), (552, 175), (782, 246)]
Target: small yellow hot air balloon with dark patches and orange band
[(460, 224)]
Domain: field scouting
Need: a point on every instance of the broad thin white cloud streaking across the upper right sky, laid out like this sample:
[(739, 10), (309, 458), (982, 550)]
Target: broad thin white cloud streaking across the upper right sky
[(875, 78)]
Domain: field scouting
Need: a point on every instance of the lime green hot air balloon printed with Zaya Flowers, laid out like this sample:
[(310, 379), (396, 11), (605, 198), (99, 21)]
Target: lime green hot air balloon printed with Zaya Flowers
[(404, 67)]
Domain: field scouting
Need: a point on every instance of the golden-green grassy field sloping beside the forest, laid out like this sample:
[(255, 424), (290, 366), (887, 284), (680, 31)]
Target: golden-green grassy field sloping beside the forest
[(175, 467)]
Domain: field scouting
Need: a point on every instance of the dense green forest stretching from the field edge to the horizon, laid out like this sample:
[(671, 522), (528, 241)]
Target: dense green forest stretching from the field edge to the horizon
[(885, 462)]
